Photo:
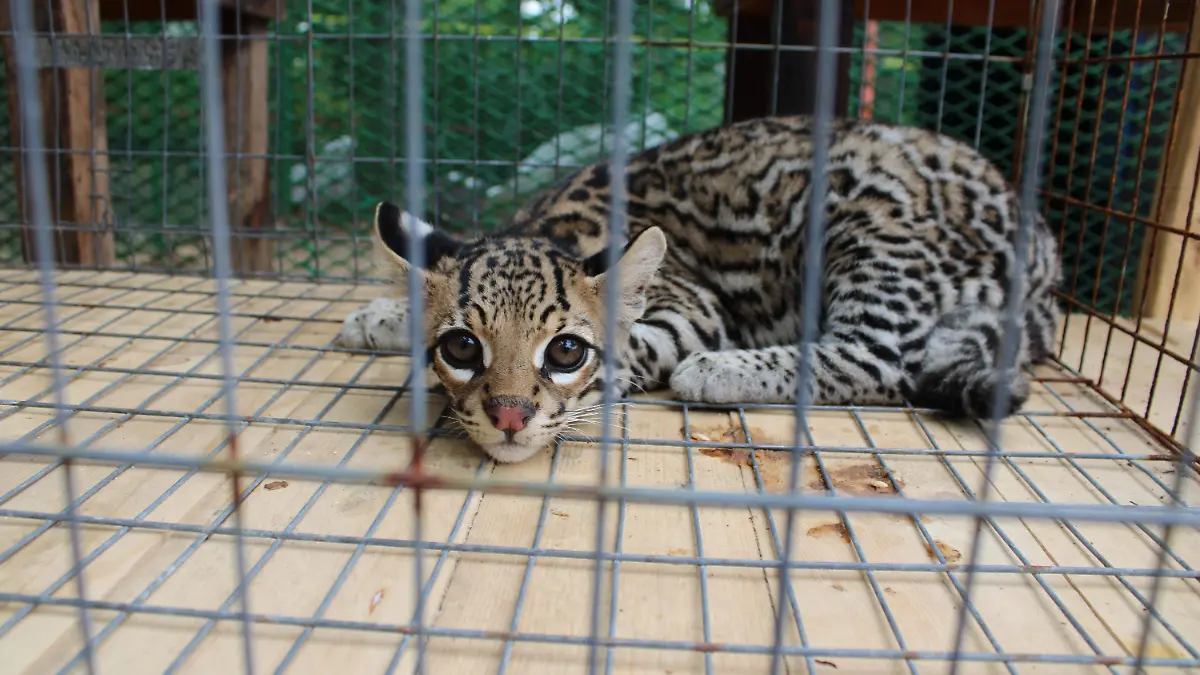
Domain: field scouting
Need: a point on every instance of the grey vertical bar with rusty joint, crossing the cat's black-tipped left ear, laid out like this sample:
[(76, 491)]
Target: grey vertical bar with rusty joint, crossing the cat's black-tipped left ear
[(415, 202)]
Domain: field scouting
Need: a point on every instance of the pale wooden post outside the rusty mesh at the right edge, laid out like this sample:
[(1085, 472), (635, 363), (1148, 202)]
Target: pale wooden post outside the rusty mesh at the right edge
[(1179, 200)]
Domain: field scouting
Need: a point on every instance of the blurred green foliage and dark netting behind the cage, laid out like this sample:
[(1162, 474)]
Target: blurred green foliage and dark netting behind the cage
[(518, 93)]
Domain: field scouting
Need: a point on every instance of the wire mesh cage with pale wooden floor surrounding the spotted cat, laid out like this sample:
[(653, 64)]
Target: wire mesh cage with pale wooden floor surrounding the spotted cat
[(195, 476)]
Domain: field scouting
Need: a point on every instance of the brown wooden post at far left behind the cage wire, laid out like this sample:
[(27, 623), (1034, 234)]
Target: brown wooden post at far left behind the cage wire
[(76, 139)]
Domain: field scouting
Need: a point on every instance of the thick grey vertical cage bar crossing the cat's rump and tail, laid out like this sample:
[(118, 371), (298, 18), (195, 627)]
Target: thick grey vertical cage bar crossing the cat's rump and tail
[(1013, 328)]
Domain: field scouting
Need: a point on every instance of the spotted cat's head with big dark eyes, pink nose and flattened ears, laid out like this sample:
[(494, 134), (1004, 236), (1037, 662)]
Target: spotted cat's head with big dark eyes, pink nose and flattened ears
[(515, 330)]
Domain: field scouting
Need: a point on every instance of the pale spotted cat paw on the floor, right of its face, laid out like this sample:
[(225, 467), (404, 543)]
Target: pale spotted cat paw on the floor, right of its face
[(728, 378)]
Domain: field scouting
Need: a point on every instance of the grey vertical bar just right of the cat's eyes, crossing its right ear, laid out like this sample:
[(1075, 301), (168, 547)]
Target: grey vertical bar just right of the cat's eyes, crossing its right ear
[(621, 101)]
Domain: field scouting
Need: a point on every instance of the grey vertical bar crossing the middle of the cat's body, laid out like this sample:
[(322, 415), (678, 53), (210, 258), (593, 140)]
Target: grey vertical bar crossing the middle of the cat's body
[(814, 273)]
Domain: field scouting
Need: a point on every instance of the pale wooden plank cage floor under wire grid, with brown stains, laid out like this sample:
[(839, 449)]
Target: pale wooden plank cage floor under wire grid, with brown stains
[(507, 582)]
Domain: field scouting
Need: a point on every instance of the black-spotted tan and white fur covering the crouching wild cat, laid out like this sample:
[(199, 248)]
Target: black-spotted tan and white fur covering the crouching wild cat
[(920, 264)]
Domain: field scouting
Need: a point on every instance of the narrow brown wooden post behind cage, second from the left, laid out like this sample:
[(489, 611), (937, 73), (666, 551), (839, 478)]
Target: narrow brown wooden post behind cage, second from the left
[(244, 70)]
